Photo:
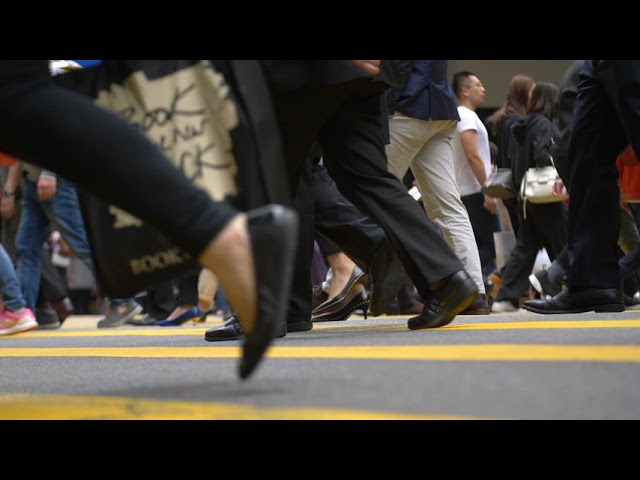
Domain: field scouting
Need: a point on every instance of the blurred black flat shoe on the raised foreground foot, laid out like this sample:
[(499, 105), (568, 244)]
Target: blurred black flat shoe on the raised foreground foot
[(273, 232)]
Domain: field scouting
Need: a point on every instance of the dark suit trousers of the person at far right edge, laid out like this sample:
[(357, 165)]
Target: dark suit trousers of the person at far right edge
[(607, 105)]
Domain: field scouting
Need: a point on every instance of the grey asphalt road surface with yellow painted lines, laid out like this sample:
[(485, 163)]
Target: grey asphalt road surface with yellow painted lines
[(519, 366)]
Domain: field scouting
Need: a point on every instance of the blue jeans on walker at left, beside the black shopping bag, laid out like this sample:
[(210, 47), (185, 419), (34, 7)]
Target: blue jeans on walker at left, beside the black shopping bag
[(62, 211)]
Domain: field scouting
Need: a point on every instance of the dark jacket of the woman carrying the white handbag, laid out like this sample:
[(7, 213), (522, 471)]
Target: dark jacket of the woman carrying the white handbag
[(534, 140)]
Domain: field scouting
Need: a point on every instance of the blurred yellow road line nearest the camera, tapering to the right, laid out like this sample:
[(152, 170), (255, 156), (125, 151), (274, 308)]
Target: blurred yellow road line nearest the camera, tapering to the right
[(60, 407)]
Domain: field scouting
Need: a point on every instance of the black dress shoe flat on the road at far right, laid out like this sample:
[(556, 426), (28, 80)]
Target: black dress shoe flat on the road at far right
[(587, 300)]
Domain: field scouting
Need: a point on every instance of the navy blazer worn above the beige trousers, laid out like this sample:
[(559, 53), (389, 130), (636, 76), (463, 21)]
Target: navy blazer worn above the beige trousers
[(427, 93)]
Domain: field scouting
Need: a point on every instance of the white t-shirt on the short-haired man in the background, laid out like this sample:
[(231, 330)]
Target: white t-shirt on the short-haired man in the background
[(467, 183)]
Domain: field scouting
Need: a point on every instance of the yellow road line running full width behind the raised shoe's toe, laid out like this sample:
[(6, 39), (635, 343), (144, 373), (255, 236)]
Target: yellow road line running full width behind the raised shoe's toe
[(496, 352)]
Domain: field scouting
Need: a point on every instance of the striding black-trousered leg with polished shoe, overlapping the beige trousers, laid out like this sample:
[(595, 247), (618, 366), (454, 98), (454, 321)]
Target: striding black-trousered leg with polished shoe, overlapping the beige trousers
[(355, 157)]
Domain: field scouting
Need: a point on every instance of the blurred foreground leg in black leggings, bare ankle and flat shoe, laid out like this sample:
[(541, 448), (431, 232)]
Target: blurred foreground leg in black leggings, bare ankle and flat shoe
[(249, 252)]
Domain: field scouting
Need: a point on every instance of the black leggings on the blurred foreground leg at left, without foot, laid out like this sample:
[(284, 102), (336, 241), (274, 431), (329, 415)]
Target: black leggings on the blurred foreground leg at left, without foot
[(101, 153)]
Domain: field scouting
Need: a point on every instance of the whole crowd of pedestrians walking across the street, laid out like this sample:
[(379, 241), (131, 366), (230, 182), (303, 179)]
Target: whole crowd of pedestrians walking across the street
[(372, 122)]
